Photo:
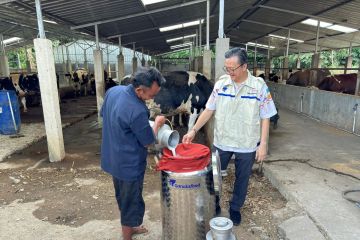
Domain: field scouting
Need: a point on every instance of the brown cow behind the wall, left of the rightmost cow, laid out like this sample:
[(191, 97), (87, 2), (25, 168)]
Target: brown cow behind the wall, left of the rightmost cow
[(302, 78)]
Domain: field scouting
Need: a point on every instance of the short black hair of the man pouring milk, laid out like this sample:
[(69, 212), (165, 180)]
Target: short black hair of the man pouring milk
[(147, 76)]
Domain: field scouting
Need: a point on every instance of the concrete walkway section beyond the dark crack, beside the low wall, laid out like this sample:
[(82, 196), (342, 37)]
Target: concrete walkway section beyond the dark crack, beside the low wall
[(300, 137)]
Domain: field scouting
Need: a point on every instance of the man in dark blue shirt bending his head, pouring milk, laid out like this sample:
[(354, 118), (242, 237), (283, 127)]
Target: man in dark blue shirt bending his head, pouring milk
[(125, 136)]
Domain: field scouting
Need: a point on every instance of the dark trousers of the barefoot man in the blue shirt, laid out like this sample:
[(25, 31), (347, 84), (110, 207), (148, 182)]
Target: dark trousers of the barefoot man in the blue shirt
[(130, 201)]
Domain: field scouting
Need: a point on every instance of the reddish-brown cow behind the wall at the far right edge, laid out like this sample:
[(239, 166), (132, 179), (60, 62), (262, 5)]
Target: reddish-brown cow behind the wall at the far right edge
[(344, 83)]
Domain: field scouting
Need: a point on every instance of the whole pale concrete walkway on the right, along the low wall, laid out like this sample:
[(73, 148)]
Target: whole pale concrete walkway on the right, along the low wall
[(312, 164)]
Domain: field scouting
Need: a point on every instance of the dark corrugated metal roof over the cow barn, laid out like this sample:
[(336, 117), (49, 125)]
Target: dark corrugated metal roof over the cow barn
[(283, 13)]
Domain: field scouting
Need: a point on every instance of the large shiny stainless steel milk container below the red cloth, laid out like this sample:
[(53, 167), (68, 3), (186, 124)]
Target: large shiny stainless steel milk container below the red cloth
[(188, 204)]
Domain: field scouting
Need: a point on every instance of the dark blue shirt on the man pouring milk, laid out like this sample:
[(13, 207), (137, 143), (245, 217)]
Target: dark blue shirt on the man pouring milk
[(126, 133)]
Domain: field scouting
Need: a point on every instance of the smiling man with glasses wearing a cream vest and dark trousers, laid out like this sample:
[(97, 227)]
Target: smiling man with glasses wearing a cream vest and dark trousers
[(243, 106)]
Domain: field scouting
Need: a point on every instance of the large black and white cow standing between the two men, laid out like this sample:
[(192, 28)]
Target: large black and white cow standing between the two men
[(183, 93)]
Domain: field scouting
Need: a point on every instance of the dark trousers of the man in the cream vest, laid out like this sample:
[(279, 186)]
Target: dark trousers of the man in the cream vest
[(243, 166)]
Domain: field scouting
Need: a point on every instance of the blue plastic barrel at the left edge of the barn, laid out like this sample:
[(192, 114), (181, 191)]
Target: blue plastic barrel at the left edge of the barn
[(9, 113)]
